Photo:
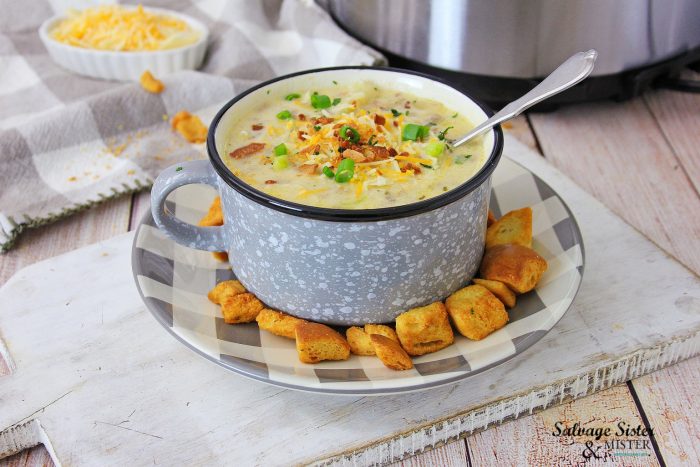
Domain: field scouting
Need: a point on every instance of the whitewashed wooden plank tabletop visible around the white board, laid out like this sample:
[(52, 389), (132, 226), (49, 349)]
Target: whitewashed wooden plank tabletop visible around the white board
[(642, 159)]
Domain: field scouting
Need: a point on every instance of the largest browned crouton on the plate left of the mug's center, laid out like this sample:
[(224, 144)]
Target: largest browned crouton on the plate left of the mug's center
[(317, 342)]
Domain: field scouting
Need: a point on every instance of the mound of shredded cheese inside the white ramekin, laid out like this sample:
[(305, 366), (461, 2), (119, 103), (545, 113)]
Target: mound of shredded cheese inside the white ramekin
[(113, 27)]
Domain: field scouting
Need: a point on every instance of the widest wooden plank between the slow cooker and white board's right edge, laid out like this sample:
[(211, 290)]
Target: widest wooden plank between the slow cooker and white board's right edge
[(617, 152)]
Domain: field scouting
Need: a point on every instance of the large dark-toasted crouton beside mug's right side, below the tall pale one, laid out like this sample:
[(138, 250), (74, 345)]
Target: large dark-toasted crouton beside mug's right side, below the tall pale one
[(519, 267)]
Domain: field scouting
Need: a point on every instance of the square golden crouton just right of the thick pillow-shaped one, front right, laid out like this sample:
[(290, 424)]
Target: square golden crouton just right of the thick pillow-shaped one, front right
[(476, 312)]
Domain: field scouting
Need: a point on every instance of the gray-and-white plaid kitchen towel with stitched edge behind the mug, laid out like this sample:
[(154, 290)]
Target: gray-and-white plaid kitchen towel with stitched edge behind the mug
[(68, 142)]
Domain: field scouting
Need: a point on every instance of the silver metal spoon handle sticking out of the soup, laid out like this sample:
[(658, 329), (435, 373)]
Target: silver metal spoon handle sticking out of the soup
[(574, 70)]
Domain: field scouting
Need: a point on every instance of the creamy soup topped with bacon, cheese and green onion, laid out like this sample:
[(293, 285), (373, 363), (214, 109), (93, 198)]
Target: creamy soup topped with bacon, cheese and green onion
[(358, 146)]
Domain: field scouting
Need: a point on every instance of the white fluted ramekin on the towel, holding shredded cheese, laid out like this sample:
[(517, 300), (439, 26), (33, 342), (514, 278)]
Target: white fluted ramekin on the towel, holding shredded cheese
[(127, 66)]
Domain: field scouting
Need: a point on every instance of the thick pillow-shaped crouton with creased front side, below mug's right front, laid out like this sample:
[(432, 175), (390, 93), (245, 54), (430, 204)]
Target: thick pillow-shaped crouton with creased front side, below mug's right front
[(425, 329)]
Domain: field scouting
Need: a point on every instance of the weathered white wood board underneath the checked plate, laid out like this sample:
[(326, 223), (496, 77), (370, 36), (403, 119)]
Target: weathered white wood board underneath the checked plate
[(110, 387)]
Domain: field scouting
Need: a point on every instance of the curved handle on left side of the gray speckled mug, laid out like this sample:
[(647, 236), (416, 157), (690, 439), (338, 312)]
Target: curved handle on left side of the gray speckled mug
[(175, 176)]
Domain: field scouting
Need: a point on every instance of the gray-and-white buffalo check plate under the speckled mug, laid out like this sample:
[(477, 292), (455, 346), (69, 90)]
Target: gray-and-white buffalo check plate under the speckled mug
[(174, 281)]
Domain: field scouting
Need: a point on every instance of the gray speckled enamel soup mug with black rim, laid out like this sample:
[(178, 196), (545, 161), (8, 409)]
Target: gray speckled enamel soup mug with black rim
[(339, 266)]
